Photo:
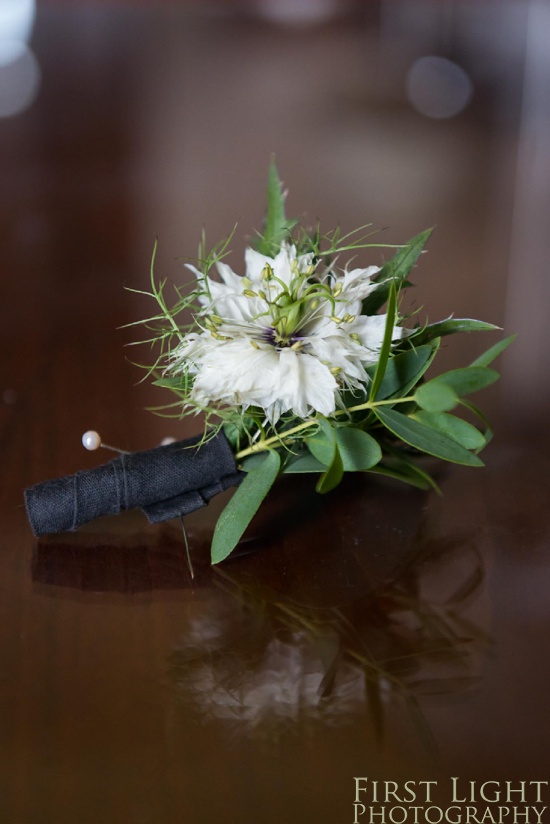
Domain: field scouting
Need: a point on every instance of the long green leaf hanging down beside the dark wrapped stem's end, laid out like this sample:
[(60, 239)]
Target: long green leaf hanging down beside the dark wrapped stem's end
[(243, 506)]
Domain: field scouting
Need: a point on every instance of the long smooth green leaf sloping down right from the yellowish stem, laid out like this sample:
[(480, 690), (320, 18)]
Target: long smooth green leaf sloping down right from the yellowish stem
[(425, 438)]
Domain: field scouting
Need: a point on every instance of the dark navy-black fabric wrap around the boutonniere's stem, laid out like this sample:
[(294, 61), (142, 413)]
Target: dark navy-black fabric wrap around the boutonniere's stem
[(165, 482)]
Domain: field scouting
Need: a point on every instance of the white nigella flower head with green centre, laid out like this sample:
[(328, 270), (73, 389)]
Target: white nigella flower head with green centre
[(283, 338)]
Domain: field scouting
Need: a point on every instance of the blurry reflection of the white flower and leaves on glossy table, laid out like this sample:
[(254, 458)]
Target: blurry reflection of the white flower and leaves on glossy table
[(260, 659)]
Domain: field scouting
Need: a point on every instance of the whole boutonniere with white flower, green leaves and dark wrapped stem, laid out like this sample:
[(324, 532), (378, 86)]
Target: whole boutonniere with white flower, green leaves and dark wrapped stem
[(295, 369)]
